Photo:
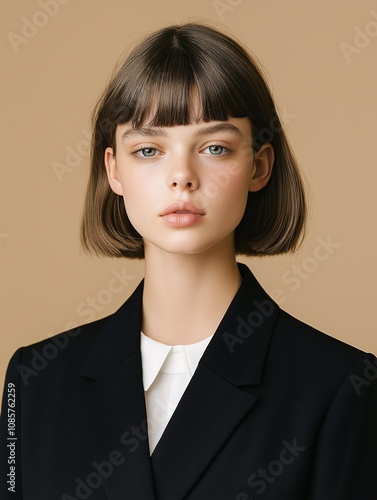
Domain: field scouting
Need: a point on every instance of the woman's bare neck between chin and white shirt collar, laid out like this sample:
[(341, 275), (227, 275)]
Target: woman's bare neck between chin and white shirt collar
[(186, 296)]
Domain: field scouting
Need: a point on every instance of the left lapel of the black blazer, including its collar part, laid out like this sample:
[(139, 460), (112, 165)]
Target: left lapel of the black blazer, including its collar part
[(112, 406)]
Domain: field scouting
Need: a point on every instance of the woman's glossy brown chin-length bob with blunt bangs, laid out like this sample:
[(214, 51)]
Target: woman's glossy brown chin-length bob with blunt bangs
[(159, 76)]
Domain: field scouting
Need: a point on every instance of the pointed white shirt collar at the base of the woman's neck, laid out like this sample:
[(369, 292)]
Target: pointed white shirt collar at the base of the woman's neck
[(158, 357)]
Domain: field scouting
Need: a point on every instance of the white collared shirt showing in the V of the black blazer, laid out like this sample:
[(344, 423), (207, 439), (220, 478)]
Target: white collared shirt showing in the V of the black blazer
[(167, 371)]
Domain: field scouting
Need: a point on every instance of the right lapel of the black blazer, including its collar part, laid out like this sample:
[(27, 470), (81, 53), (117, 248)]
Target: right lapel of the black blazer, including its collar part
[(214, 403)]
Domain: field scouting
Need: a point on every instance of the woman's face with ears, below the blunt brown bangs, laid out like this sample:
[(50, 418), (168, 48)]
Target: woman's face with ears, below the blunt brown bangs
[(185, 187)]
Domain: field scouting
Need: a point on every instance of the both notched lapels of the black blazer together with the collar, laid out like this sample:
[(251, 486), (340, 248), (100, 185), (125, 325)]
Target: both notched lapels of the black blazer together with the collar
[(111, 400)]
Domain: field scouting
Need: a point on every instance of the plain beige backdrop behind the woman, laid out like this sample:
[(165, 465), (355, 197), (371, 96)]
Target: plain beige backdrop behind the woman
[(50, 82)]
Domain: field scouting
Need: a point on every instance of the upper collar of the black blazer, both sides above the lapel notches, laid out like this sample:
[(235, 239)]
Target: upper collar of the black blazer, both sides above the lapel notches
[(237, 350)]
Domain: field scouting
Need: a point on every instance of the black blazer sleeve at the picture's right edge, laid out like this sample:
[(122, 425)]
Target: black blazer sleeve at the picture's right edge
[(345, 460)]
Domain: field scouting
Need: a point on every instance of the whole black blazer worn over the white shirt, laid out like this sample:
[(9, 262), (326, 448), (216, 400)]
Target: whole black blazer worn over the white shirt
[(275, 410)]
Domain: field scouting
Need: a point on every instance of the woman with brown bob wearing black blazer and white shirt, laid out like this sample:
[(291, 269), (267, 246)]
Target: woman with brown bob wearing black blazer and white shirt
[(199, 386)]
